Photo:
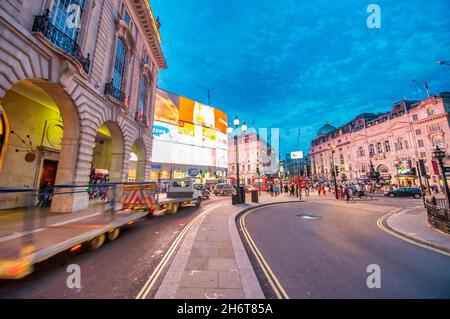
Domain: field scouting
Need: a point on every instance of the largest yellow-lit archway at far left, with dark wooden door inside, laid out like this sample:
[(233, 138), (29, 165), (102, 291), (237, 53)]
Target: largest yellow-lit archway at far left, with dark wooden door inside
[(42, 147)]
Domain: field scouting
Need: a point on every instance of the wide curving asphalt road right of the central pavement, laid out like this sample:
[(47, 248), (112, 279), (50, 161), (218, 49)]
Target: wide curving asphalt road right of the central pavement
[(328, 257)]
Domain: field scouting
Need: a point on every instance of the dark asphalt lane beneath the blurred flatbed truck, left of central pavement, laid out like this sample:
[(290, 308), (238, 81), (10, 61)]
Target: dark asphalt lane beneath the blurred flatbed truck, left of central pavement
[(117, 270)]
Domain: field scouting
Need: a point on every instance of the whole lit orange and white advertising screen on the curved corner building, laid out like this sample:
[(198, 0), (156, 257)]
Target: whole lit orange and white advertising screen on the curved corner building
[(189, 133)]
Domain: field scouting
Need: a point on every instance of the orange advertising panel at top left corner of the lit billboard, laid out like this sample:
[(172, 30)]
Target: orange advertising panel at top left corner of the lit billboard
[(167, 107)]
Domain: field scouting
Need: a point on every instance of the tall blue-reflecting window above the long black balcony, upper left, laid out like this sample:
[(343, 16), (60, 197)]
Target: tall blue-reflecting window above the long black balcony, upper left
[(60, 14)]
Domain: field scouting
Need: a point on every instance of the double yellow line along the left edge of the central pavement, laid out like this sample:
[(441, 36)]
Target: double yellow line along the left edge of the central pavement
[(172, 249)]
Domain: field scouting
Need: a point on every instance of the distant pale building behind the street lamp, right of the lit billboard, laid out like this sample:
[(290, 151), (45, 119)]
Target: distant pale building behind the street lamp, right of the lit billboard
[(255, 153)]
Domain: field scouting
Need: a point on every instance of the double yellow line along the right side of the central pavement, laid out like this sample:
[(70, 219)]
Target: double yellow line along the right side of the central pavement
[(271, 278)]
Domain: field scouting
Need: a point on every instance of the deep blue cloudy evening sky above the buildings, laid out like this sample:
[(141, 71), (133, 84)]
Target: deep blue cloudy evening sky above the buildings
[(294, 64)]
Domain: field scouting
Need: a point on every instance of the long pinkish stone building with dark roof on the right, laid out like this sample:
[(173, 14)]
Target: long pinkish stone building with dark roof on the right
[(390, 144)]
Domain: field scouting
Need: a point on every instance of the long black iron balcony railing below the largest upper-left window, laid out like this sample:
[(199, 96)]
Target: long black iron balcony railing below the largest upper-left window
[(60, 39)]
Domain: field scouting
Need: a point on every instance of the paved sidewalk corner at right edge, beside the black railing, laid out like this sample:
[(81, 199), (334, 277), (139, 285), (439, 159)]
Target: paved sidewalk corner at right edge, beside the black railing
[(413, 223)]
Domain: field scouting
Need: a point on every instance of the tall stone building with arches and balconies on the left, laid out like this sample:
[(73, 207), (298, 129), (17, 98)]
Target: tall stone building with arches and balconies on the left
[(77, 86)]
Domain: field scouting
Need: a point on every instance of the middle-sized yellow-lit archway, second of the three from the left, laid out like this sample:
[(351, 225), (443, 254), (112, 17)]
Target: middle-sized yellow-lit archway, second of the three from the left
[(107, 160)]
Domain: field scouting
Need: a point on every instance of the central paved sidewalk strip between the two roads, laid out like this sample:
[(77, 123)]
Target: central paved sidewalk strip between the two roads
[(212, 262)]
